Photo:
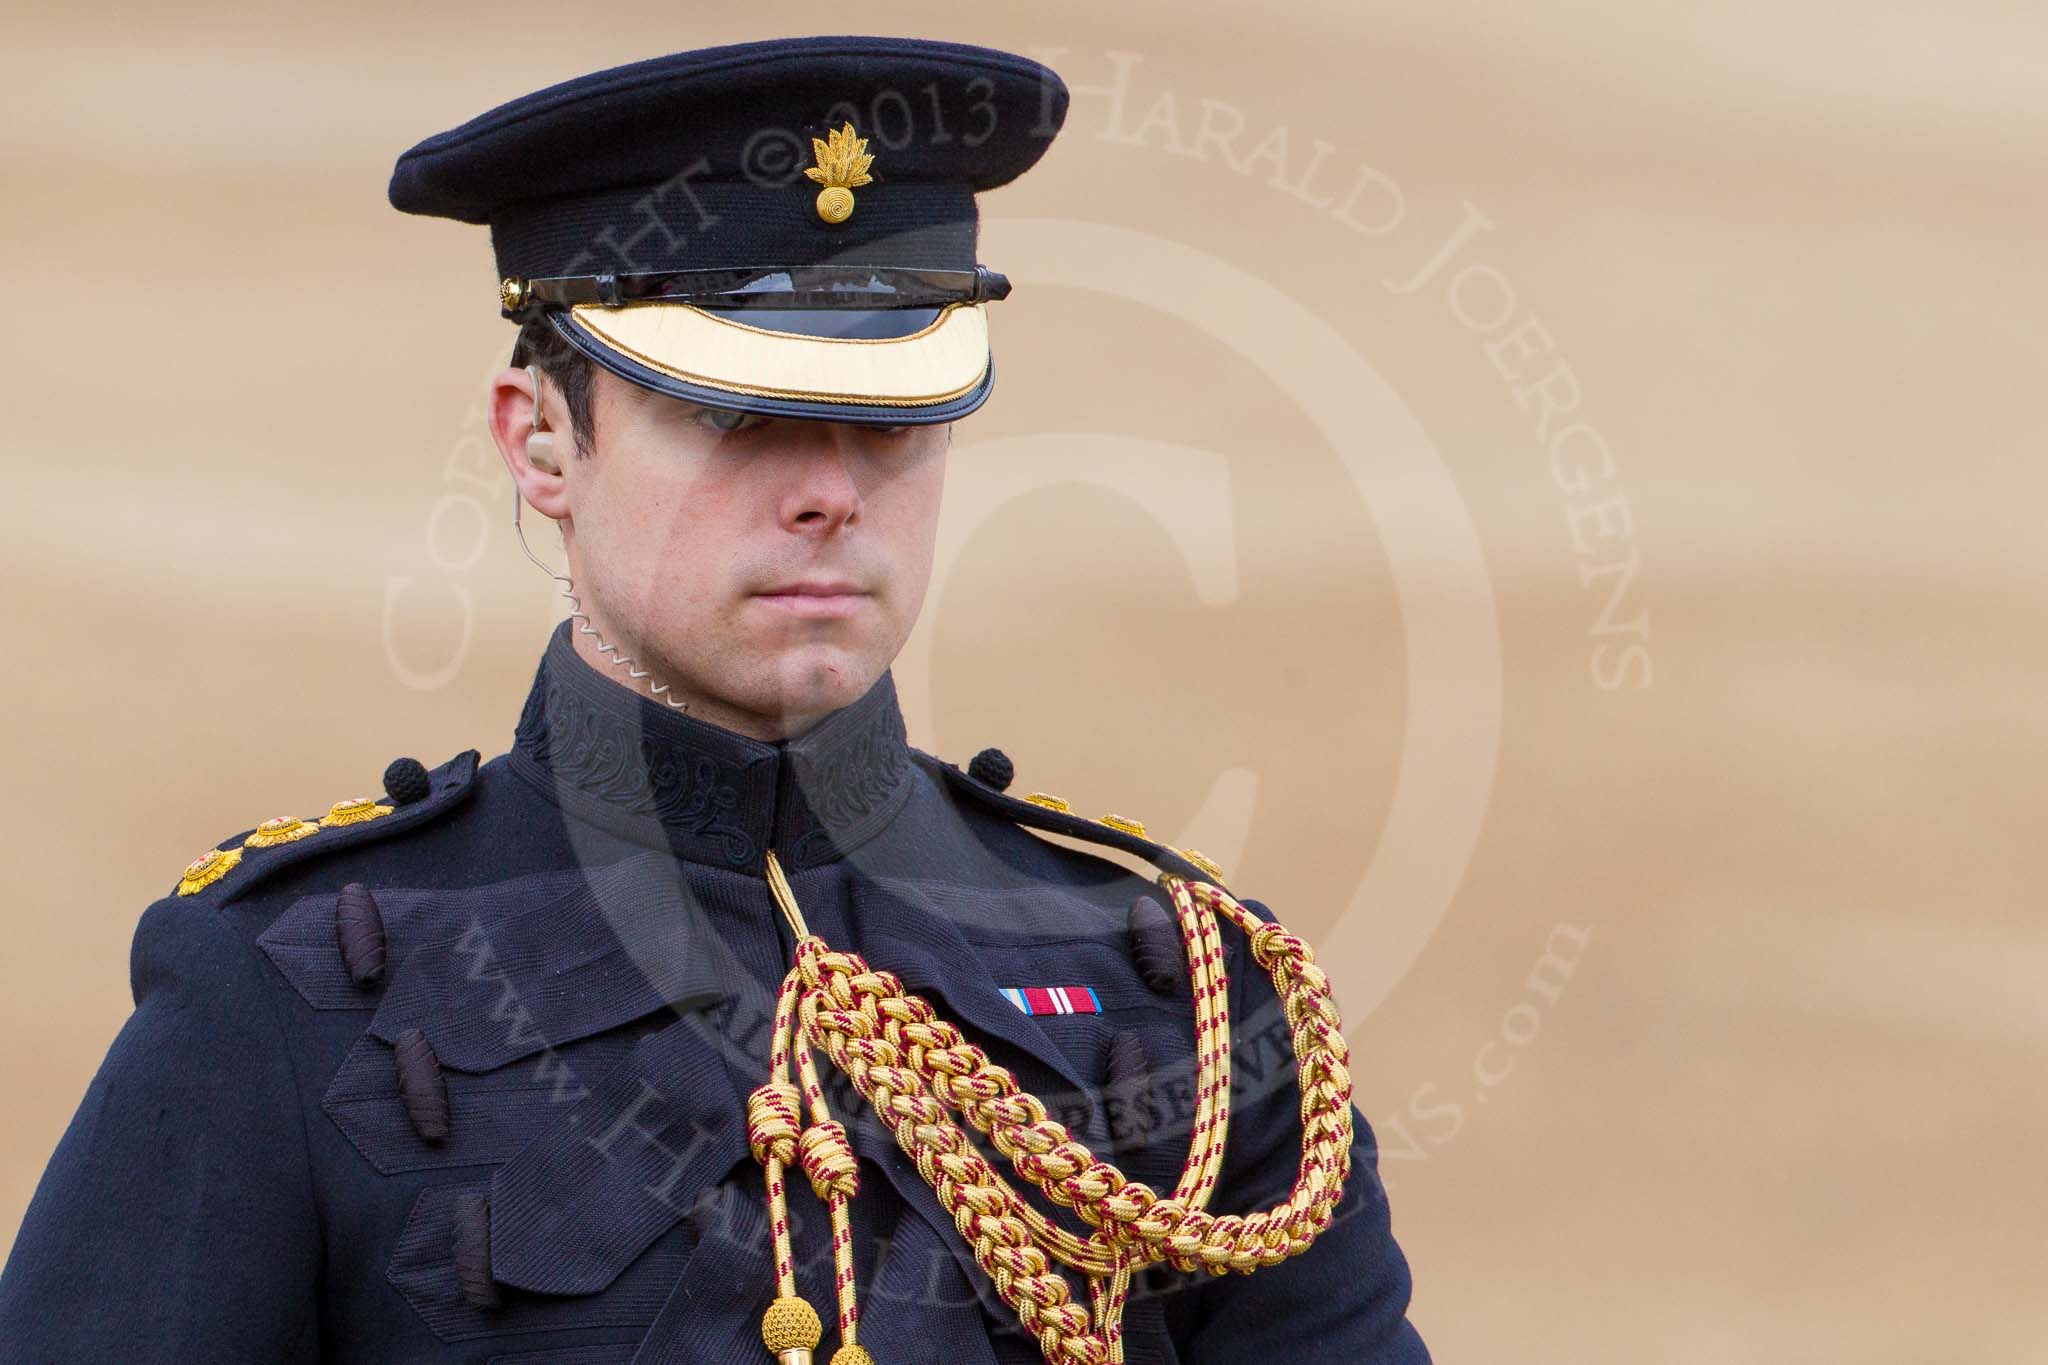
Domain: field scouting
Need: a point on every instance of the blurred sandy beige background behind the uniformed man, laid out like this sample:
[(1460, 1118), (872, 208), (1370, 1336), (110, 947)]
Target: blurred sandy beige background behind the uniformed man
[(1746, 734)]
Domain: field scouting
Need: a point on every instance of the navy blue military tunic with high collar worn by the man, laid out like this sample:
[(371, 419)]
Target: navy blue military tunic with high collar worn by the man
[(468, 1082)]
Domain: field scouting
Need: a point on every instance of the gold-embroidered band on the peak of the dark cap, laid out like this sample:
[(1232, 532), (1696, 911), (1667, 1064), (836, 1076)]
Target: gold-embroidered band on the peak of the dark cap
[(935, 365)]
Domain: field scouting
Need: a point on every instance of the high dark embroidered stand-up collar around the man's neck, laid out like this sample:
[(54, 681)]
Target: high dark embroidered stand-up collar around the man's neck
[(658, 777)]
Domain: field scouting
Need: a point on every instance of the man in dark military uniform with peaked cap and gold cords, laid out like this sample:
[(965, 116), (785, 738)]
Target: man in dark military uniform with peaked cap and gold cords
[(484, 1069)]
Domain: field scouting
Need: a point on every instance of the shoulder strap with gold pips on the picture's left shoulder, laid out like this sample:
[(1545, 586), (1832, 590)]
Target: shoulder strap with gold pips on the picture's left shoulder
[(415, 795)]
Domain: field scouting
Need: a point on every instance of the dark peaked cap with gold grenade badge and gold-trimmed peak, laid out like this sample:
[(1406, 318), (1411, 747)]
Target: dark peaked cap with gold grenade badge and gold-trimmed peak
[(783, 226)]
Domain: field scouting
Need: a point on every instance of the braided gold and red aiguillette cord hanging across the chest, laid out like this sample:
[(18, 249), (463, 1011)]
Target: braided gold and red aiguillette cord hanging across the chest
[(914, 1069)]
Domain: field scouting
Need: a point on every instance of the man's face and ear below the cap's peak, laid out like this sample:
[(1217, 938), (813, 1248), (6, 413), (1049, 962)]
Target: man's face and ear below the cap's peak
[(769, 570)]
